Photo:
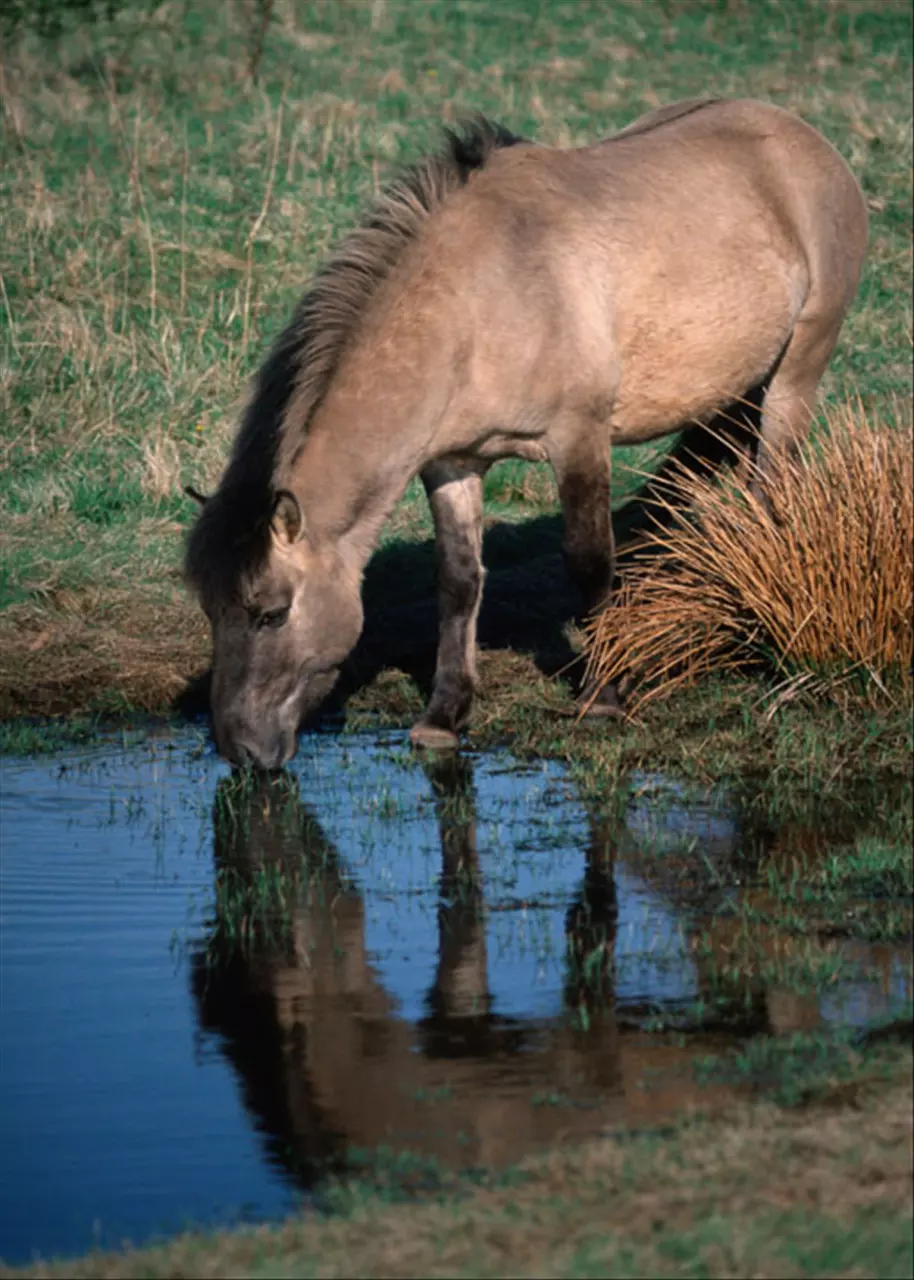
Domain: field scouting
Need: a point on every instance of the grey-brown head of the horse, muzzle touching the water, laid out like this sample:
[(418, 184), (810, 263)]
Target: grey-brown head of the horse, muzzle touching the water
[(282, 627)]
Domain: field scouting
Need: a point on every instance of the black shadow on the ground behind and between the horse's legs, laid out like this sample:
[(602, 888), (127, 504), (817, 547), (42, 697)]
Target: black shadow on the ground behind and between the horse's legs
[(528, 602)]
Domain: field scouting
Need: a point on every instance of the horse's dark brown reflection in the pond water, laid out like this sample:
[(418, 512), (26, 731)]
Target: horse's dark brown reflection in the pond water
[(327, 1062)]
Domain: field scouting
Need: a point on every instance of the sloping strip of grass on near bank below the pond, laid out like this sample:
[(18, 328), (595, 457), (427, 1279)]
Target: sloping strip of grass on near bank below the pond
[(808, 1192)]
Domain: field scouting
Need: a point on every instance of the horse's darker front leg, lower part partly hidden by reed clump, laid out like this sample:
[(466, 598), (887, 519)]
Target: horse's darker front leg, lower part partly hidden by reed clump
[(583, 472)]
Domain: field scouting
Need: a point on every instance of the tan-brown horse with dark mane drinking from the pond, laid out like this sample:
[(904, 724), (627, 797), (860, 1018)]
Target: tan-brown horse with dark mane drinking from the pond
[(509, 300)]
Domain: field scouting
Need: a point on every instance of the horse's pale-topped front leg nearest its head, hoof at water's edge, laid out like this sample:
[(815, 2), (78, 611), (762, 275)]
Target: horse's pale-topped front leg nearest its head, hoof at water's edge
[(456, 500)]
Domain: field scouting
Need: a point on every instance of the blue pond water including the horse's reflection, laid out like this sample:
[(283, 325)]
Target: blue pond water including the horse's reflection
[(213, 993)]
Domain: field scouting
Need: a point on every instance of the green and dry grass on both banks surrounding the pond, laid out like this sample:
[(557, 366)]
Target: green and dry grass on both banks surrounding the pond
[(164, 207)]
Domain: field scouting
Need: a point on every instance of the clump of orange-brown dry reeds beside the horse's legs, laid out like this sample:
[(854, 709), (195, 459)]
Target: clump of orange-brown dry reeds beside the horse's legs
[(816, 583)]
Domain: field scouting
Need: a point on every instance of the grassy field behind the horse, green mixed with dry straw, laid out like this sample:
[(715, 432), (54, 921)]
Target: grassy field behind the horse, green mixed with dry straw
[(166, 211)]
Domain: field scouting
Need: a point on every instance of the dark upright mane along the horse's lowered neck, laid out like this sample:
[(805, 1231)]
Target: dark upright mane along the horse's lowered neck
[(231, 537)]
